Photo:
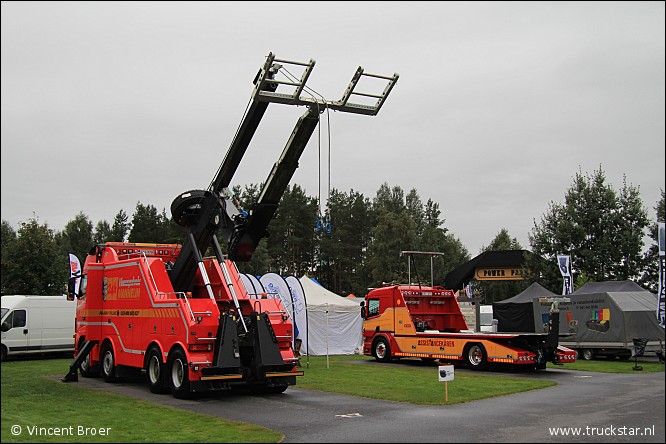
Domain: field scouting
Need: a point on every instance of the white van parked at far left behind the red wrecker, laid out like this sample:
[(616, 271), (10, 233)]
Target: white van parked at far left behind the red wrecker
[(37, 324)]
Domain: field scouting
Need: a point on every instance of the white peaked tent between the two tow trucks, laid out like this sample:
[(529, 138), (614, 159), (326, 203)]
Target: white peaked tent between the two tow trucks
[(334, 325)]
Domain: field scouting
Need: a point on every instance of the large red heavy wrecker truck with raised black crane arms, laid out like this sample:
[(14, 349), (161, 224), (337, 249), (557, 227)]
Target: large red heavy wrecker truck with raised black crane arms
[(185, 320)]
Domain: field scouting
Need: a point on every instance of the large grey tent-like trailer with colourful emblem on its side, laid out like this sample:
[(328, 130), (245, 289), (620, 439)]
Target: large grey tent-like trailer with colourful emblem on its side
[(606, 314)]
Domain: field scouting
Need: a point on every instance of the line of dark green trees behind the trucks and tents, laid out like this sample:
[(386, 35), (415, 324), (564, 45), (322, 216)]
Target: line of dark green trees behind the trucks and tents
[(353, 243)]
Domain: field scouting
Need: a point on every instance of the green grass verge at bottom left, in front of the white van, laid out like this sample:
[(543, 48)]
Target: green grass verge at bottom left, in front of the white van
[(44, 409)]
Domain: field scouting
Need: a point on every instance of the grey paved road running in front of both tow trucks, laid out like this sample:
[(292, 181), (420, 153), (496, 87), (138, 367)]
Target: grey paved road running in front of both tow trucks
[(608, 405)]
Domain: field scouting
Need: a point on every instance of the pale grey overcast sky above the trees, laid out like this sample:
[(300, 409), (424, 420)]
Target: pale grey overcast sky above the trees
[(498, 105)]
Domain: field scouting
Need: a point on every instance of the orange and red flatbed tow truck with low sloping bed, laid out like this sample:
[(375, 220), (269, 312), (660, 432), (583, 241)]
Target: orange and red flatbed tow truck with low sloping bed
[(426, 322)]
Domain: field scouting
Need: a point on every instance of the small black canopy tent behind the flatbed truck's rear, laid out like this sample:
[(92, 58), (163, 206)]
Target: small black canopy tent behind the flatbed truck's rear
[(517, 313)]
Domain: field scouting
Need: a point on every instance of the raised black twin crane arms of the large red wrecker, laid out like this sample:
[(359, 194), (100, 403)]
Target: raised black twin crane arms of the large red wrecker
[(206, 212)]
